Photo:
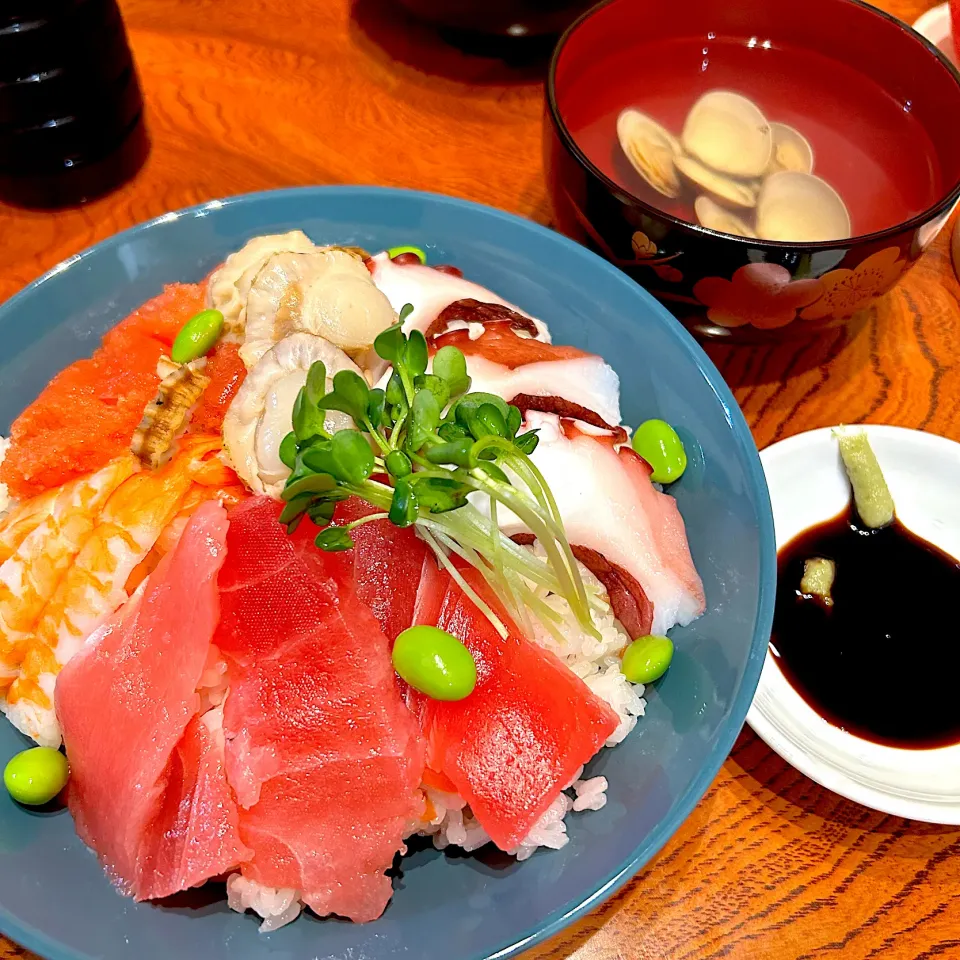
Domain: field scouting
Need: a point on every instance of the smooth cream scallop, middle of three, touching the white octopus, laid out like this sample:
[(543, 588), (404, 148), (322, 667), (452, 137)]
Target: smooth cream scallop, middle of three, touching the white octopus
[(328, 292)]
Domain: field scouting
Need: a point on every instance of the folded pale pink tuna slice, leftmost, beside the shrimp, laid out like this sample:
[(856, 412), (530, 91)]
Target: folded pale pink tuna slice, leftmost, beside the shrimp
[(125, 702)]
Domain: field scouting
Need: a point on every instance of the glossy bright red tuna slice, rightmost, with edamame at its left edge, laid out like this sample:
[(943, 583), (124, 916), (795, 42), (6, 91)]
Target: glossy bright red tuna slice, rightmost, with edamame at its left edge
[(518, 739)]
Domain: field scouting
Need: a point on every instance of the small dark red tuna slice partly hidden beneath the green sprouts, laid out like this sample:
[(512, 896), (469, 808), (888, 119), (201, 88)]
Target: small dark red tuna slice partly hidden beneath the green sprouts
[(387, 562)]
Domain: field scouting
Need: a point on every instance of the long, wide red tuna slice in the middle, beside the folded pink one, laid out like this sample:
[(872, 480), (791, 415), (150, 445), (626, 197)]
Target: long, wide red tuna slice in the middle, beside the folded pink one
[(323, 754)]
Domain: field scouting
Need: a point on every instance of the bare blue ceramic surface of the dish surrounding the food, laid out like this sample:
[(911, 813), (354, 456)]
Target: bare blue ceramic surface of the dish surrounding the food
[(55, 899)]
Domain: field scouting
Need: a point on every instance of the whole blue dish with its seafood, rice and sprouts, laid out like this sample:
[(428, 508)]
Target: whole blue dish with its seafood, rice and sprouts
[(340, 574)]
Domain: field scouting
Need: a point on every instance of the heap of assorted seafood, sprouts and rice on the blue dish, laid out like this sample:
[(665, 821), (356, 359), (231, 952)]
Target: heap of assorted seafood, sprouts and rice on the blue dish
[(330, 554)]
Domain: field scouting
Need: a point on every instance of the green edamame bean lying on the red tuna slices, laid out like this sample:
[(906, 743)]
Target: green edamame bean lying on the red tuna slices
[(435, 662)]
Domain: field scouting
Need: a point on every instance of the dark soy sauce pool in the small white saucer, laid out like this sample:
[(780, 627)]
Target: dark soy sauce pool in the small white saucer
[(883, 662)]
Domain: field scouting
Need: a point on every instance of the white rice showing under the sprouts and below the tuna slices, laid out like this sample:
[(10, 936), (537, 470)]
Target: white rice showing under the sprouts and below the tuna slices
[(597, 663)]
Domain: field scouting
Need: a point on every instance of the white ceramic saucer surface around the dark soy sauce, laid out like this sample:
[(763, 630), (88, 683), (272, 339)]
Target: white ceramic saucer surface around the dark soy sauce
[(807, 486)]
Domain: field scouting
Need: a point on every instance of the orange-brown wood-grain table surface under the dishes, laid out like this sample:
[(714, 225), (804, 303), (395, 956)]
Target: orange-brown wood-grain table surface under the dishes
[(245, 96)]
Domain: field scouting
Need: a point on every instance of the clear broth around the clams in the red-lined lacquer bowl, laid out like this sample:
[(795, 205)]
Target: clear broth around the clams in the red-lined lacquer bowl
[(867, 145)]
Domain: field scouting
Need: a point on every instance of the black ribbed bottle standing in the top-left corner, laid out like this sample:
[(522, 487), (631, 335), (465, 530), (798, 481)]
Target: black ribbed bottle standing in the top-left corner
[(70, 104)]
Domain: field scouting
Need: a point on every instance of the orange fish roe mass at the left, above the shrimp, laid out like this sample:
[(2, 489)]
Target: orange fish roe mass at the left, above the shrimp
[(87, 414)]
